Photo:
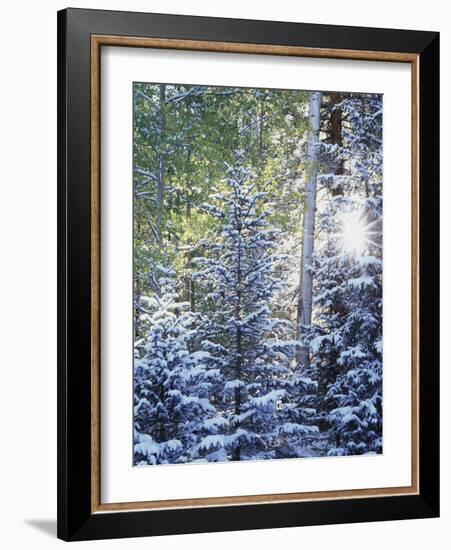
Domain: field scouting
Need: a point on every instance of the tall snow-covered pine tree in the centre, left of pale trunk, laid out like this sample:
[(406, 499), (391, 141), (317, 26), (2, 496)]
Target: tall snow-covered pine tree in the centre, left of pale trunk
[(259, 400)]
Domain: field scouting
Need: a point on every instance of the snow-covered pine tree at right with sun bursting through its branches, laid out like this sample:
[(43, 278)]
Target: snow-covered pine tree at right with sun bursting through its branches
[(346, 339)]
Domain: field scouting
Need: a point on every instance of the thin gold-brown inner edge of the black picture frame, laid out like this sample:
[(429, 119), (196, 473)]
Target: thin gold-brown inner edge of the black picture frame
[(97, 41)]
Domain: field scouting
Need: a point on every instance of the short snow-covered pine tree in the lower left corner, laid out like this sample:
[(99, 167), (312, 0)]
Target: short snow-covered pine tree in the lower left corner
[(172, 385)]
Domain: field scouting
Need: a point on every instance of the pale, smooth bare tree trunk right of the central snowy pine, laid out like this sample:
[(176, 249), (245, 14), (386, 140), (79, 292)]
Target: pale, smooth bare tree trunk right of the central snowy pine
[(304, 319)]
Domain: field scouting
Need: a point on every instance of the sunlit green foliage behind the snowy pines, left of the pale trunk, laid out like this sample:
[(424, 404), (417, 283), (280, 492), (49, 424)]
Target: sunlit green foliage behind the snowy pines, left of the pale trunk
[(184, 137)]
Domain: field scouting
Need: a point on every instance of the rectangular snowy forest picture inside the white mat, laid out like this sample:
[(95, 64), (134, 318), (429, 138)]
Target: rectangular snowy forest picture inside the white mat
[(257, 274)]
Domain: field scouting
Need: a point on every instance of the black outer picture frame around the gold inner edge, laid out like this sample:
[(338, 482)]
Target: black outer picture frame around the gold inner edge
[(76, 521)]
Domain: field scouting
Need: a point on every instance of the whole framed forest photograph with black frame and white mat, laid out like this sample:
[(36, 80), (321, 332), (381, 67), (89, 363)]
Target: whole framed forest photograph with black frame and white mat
[(248, 274)]
